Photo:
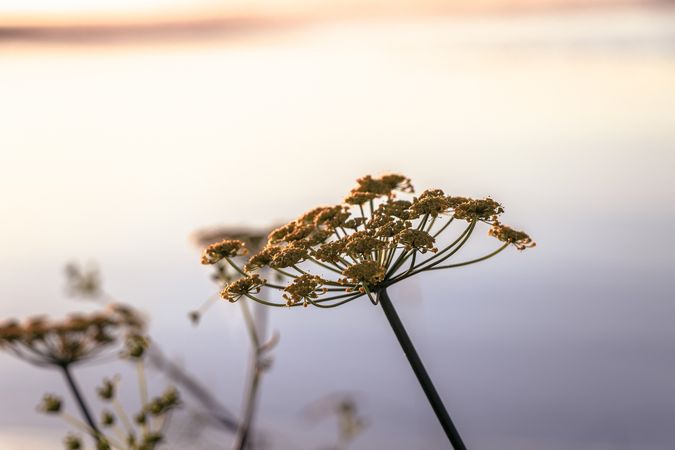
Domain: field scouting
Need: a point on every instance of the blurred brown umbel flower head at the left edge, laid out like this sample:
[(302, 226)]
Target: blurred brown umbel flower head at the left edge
[(77, 338)]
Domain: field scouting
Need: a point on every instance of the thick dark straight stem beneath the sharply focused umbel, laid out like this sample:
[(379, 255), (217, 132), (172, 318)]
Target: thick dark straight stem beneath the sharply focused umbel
[(420, 372)]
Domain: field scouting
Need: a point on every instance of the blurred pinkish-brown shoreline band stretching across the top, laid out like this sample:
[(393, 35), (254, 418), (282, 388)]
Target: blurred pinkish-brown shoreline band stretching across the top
[(78, 31)]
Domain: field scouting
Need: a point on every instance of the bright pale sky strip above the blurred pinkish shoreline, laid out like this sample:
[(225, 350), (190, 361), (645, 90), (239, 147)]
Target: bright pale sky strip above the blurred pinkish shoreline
[(64, 12)]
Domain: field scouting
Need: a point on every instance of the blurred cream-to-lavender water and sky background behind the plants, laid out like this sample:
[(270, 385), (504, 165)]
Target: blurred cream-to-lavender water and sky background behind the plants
[(119, 139)]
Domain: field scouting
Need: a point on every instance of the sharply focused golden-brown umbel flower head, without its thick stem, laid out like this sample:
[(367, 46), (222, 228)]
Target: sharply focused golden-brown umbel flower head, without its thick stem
[(381, 234)]
